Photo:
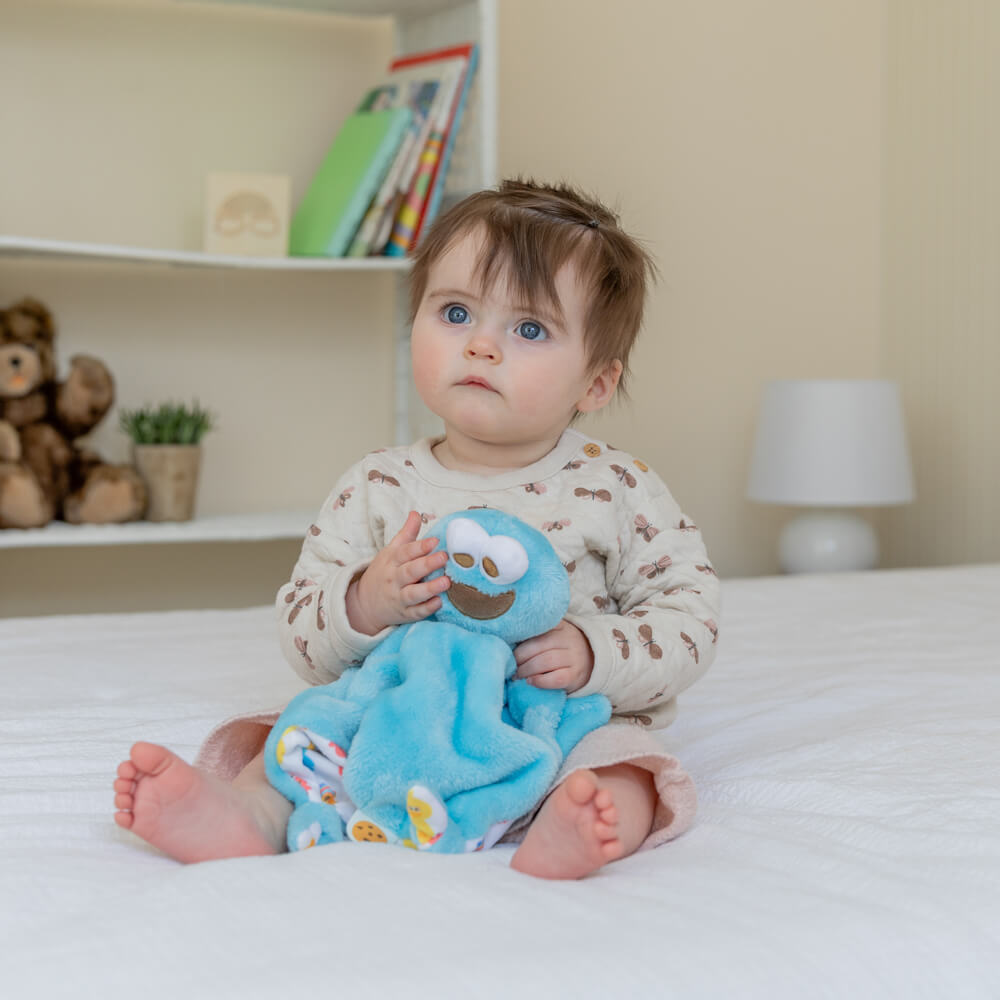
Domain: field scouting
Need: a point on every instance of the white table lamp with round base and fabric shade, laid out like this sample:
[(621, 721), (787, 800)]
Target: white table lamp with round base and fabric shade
[(830, 444)]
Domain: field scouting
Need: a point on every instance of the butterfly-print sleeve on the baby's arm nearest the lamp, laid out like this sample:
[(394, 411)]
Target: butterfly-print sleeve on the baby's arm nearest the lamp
[(662, 637)]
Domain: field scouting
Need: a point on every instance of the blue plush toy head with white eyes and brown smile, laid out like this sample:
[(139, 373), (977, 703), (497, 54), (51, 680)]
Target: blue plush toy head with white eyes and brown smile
[(506, 579)]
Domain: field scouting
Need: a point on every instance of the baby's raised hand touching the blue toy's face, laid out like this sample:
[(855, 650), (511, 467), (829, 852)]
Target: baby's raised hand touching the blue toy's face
[(390, 591)]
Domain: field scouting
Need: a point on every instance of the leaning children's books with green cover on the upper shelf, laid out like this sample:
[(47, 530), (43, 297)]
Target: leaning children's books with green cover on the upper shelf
[(380, 184)]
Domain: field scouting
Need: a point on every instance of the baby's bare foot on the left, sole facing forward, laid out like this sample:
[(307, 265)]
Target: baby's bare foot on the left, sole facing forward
[(188, 814)]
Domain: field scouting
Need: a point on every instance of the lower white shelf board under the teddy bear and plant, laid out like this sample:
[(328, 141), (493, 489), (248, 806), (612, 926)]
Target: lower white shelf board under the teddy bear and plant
[(219, 528)]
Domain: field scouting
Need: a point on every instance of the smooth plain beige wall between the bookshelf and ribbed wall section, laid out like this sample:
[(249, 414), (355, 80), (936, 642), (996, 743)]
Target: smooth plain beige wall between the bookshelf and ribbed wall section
[(741, 139)]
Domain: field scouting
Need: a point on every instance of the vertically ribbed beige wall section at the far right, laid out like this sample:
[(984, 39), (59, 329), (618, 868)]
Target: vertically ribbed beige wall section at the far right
[(942, 262)]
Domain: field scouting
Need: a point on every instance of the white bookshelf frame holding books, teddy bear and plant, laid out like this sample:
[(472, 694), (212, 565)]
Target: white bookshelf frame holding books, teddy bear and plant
[(416, 25)]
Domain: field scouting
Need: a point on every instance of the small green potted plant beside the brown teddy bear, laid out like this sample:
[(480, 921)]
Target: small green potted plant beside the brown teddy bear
[(166, 443)]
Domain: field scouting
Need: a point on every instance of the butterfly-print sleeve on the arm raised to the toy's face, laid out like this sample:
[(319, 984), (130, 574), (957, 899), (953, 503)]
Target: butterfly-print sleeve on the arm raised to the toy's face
[(314, 632)]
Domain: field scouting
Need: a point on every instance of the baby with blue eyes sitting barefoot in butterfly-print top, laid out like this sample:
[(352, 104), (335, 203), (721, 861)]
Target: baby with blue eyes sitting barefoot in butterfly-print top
[(526, 303)]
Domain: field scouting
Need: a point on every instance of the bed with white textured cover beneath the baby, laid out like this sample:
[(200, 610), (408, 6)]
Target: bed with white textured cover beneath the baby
[(845, 746)]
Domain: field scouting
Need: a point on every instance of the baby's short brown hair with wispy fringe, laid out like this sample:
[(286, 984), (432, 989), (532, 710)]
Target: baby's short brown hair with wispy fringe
[(529, 232)]
